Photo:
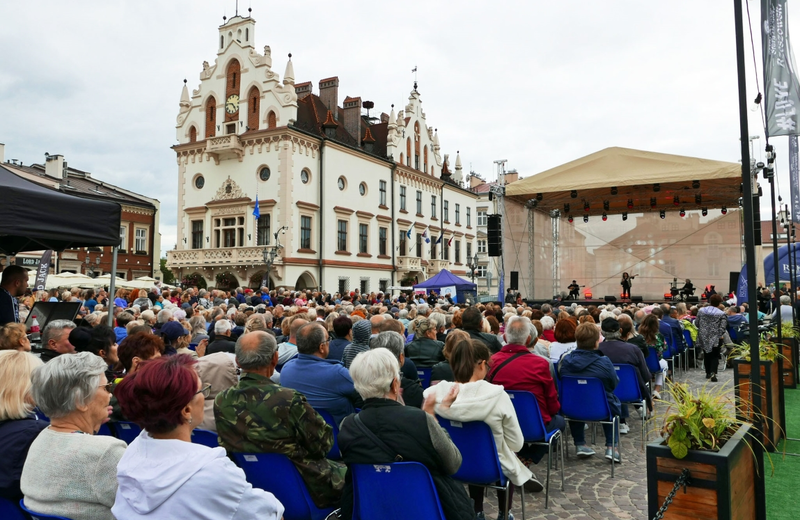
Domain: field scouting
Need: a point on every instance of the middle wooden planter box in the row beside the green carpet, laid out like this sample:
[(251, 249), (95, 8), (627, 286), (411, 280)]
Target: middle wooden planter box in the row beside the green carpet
[(771, 403)]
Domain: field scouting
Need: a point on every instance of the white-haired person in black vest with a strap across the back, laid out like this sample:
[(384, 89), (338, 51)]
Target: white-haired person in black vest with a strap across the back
[(414, 433)]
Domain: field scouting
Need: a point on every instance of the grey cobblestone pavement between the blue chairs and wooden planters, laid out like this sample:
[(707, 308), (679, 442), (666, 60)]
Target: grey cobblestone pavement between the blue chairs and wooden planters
[(589, 491)]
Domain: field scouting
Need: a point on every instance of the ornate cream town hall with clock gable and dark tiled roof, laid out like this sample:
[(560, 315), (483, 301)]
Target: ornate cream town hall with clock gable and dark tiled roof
[(244, 134)]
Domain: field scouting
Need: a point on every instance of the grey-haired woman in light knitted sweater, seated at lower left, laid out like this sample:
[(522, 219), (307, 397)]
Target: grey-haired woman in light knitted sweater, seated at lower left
[(70, 471)]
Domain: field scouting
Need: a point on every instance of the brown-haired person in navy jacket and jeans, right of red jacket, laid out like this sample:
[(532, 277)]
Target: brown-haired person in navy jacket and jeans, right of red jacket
[(587, 361)]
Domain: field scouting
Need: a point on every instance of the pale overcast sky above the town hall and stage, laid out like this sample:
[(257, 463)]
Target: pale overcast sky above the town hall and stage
[(536, 83)]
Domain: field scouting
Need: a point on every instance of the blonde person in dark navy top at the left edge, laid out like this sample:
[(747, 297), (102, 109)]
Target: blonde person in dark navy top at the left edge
[(19, 426)]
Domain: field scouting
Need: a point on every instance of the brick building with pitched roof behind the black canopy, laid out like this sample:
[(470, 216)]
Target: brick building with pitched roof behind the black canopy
[(140, 239)]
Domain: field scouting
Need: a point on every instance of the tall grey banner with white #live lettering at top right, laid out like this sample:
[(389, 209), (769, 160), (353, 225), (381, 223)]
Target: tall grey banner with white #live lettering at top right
[(781, 90)]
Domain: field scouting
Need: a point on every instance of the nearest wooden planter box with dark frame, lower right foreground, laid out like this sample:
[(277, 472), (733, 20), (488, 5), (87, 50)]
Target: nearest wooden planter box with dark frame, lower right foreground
[(722, 483)]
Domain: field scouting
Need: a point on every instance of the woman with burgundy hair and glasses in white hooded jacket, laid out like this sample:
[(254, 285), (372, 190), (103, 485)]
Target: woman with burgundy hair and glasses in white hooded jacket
[(162, 474)]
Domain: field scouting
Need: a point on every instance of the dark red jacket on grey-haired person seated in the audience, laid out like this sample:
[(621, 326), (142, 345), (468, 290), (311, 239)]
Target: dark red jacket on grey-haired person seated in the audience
[(529, 373)]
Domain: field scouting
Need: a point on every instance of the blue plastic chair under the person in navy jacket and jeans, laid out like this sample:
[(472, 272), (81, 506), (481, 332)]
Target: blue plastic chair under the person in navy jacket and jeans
[(583, 399)]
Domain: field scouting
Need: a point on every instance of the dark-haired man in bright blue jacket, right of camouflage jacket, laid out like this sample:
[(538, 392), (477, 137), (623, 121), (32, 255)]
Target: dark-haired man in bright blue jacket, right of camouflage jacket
[(325, 382)]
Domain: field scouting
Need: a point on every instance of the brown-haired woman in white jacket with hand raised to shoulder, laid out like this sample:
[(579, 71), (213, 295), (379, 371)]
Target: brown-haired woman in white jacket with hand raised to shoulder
[(479, 400)]
